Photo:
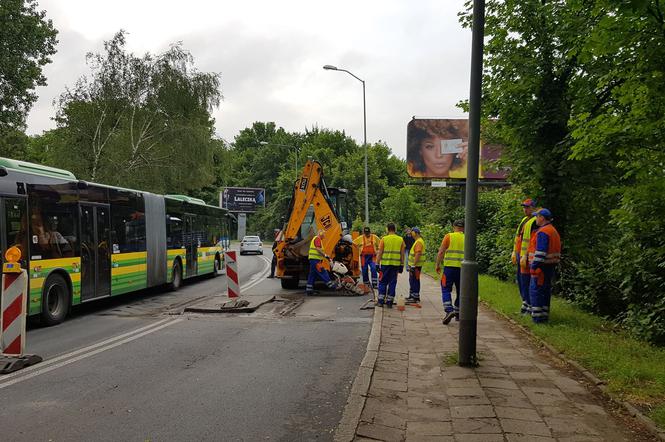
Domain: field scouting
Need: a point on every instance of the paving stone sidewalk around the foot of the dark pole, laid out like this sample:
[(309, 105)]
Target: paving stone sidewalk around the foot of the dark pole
[(417, 393)]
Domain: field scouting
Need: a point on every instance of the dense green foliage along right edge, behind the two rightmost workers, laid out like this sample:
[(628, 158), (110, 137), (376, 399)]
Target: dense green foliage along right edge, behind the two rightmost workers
[(575, 90)]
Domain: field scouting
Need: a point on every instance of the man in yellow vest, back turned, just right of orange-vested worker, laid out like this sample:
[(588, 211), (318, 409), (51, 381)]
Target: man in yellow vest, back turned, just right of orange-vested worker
[(390, 259)]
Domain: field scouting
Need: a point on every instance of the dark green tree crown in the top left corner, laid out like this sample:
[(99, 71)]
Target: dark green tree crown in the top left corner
[(27, 40)]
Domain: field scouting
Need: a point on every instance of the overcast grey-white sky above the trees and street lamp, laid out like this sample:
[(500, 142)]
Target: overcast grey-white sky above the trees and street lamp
[(413, 55)]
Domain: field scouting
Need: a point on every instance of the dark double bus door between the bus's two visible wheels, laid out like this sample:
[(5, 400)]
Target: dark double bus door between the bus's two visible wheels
[(95, 251)]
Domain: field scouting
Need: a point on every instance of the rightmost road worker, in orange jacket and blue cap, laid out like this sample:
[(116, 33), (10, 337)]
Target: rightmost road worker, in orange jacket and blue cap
[(545, 253)]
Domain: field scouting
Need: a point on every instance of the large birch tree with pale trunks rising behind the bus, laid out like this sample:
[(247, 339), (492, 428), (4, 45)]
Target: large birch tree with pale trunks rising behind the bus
[(139, 121)]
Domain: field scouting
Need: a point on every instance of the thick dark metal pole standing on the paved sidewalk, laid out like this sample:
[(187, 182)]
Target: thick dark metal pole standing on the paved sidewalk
[(469, 279)]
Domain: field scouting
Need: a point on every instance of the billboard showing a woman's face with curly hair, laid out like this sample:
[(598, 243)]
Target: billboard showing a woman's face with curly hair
[(437, 148)]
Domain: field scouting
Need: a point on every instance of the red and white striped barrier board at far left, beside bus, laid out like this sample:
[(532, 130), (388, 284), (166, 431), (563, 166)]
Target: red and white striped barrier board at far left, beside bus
[(13, 306)]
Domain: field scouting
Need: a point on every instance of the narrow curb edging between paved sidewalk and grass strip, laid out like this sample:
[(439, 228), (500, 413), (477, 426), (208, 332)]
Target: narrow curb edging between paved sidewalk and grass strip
[(602, 385)]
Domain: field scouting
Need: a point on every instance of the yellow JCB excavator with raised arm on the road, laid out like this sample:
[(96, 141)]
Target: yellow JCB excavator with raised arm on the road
[(313, 207)]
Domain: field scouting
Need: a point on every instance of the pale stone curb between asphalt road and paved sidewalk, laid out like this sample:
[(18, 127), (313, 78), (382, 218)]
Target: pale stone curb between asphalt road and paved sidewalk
[(346, 429)]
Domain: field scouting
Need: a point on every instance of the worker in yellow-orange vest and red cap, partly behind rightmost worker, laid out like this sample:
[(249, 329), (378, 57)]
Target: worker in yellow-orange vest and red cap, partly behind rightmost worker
[(520, 256)]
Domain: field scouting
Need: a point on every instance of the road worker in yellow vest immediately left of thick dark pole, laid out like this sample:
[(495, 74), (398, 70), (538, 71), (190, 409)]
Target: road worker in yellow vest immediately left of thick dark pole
[(451, 253)]
